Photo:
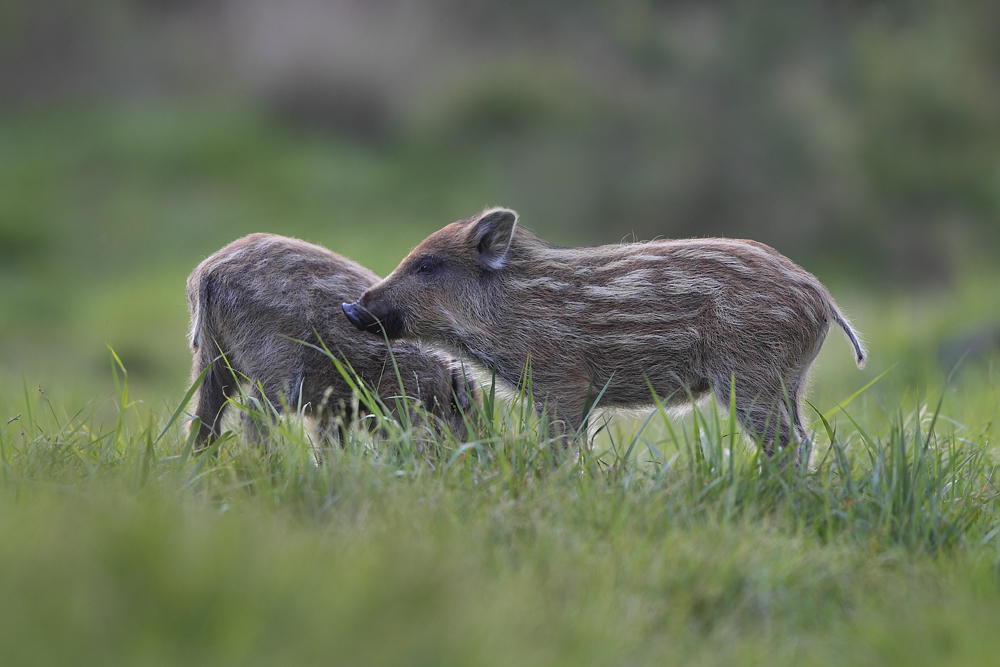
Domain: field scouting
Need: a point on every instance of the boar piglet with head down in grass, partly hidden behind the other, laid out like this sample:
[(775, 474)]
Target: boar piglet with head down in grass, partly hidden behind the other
[(252, 301)]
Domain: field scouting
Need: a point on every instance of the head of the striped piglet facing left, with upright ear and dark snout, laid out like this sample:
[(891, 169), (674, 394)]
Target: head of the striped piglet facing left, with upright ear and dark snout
[(437, 291)]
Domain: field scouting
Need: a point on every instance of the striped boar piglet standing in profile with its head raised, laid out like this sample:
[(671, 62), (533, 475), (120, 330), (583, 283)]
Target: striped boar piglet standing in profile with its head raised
[(683, 317)]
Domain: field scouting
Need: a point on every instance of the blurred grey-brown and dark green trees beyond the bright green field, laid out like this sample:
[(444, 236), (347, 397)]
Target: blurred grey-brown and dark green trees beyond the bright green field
[(863, 134)]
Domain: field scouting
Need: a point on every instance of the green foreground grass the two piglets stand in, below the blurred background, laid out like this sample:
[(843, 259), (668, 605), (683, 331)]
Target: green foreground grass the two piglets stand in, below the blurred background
[(676, 543)]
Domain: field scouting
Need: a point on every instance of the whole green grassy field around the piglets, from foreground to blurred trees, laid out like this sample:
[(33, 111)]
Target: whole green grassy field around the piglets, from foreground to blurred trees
[(669, 543)]
